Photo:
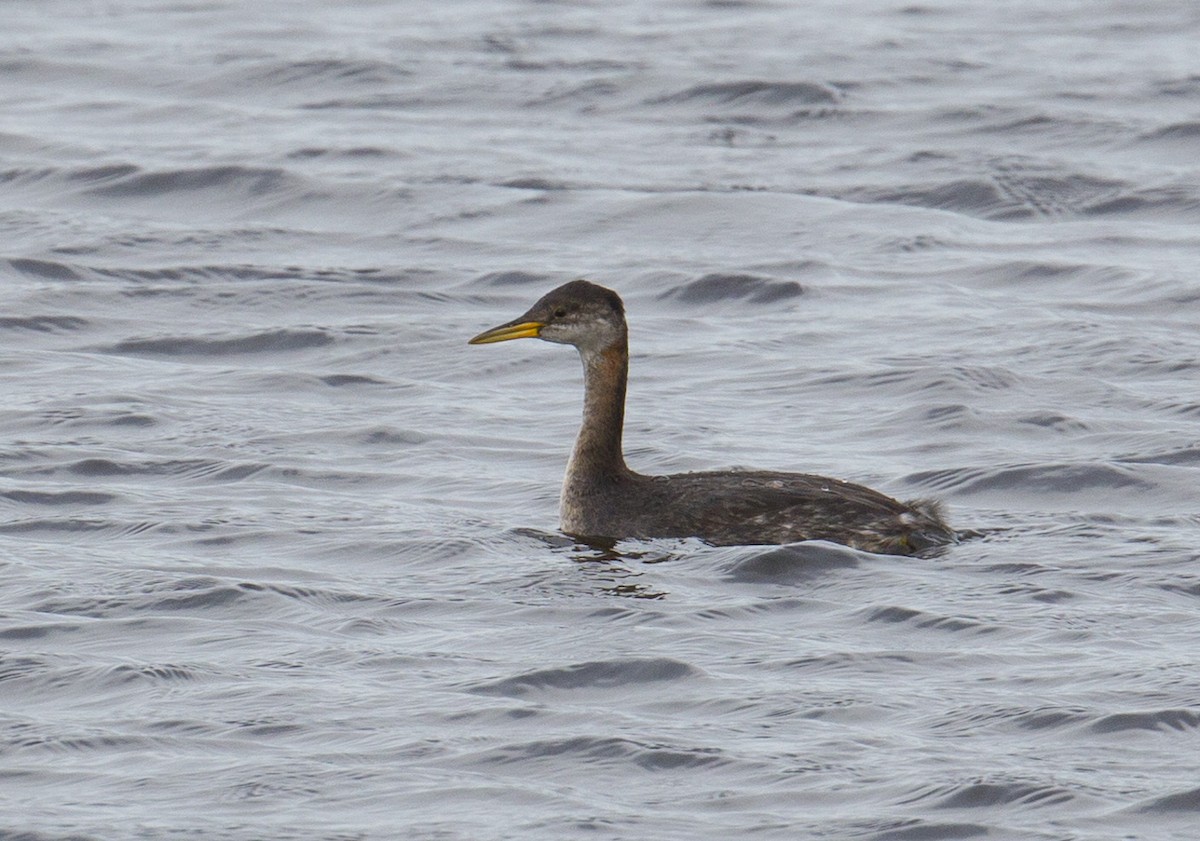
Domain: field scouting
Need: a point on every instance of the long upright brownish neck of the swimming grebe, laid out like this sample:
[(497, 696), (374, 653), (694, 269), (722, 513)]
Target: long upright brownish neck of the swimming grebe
[(598, 454)]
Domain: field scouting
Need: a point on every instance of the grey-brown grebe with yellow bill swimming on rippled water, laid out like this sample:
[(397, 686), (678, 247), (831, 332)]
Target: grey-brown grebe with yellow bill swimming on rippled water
[(604, 500)]
